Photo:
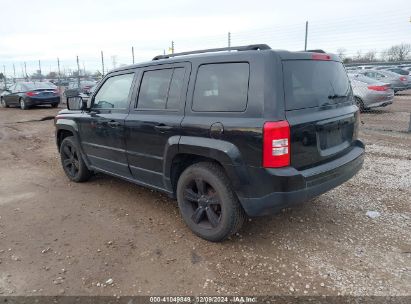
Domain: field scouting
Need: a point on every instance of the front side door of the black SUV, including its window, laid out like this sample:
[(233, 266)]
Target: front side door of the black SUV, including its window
[(102, 129)]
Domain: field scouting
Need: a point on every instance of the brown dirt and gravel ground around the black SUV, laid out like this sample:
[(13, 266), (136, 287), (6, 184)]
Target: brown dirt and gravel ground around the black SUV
[(110, 237)]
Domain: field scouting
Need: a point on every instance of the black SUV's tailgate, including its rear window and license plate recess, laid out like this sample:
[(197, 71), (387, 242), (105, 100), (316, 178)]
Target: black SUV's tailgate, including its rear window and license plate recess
[(320, 110)]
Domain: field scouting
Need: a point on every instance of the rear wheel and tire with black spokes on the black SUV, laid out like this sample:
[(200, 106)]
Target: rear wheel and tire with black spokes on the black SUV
[(207, 202)]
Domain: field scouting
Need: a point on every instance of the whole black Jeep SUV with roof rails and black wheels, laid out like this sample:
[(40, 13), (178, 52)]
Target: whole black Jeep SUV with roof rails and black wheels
[(228, 132)]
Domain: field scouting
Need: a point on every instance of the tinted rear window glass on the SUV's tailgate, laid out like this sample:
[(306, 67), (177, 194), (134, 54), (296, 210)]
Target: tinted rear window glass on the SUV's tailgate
[(314, 83)]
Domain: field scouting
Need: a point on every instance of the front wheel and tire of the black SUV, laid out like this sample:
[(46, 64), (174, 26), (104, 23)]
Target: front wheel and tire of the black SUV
[(72, 161)]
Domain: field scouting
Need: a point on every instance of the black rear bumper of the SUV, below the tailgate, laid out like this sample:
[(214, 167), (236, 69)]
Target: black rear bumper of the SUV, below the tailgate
[(300, 186)]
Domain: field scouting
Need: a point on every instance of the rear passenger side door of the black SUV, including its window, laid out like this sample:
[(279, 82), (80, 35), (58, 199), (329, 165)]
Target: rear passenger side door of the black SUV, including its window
[(154, 119)]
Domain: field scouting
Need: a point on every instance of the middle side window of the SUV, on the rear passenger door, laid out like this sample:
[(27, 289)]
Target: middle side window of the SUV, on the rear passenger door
[(161, 89)]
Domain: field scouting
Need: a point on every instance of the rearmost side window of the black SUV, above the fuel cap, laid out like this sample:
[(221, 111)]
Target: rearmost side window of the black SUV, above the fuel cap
[(221, 87)]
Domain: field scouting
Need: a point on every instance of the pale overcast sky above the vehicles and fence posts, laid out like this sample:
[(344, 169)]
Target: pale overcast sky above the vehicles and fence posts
[(34, 30)]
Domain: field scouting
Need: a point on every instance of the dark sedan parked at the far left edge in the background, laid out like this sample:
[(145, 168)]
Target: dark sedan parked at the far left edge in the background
[(27, 94)]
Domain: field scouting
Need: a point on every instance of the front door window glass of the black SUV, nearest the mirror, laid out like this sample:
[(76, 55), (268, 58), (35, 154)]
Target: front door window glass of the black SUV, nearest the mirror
[(114, 92)]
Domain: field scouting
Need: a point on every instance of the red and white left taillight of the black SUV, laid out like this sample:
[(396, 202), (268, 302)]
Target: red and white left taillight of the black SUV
[(276, 144)]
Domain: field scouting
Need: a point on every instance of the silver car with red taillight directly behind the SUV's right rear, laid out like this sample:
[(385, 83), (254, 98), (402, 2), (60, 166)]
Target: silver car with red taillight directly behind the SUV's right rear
[(370, 93)]
